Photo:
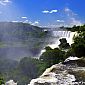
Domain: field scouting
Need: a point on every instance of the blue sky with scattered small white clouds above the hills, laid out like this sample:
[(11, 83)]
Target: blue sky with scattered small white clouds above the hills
[(49, 13)]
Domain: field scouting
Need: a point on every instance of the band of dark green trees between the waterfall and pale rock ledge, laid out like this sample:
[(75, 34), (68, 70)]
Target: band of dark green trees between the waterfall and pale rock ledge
[(53, 56)]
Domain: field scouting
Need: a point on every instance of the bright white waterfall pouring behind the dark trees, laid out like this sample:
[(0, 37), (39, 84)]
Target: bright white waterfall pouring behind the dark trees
[(62, 34)]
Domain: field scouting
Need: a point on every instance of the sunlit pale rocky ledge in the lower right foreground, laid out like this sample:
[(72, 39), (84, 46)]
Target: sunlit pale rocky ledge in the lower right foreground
[(69, 73)]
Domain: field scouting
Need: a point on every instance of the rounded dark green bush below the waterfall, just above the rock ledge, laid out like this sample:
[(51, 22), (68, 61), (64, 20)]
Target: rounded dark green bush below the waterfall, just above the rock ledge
[(52, 56)]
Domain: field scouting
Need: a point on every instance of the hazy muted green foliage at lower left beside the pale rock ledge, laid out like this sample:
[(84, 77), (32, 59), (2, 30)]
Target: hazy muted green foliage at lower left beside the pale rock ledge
[(25, 70)]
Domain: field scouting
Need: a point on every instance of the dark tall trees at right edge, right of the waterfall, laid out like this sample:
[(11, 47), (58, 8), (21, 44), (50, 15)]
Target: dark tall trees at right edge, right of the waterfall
[(78, 47)]
